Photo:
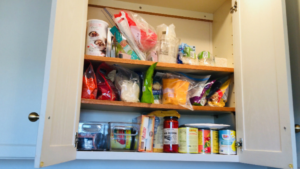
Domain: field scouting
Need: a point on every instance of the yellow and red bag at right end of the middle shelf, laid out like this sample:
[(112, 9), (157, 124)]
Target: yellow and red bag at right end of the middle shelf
[(219, 98)]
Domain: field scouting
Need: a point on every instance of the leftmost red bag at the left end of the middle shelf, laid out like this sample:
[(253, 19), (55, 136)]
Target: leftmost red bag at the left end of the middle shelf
[(89, 84)]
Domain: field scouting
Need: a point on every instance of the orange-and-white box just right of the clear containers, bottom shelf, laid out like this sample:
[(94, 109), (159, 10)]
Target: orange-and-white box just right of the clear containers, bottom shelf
[(146, 132)]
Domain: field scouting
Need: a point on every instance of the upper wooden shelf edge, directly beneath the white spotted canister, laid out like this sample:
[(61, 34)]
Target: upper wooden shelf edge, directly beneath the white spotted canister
[(144, 65)]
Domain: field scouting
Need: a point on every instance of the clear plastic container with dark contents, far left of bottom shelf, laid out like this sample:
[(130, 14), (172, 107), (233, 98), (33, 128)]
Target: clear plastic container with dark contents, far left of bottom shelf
[(93, 136)]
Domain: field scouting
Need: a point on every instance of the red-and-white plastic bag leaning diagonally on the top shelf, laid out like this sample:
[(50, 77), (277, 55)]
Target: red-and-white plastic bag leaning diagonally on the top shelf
[(140, 35)]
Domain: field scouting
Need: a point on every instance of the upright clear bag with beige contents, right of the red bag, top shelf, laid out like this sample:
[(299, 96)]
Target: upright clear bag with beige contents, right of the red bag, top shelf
[(167, 43)]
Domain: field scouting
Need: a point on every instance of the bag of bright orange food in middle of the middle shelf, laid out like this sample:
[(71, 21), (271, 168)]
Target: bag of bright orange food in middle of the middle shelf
[(175, 91)]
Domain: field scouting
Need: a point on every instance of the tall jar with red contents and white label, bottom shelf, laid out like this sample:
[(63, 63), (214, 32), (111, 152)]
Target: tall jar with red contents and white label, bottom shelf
[(171, 134)]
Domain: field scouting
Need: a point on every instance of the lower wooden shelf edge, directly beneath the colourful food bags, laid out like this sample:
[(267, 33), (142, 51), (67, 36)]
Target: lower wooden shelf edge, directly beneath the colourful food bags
[(106, 105)]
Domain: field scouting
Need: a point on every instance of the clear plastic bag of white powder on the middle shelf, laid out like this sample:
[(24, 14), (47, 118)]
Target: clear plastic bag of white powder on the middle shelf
[(127, 83)]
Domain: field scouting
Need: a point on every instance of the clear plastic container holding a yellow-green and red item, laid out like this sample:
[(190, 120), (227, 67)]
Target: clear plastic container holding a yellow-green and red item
[(124, 136)]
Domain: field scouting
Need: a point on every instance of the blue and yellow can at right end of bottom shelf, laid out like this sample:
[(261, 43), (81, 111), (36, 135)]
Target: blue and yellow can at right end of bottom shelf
[(227, 142)]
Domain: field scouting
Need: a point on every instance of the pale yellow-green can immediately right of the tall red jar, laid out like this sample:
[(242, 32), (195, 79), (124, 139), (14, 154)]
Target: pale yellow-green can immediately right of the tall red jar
[(188, 140)]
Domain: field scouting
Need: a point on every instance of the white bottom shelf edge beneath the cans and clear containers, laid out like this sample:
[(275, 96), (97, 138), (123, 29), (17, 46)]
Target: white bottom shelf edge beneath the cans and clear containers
[(102, 155)]
